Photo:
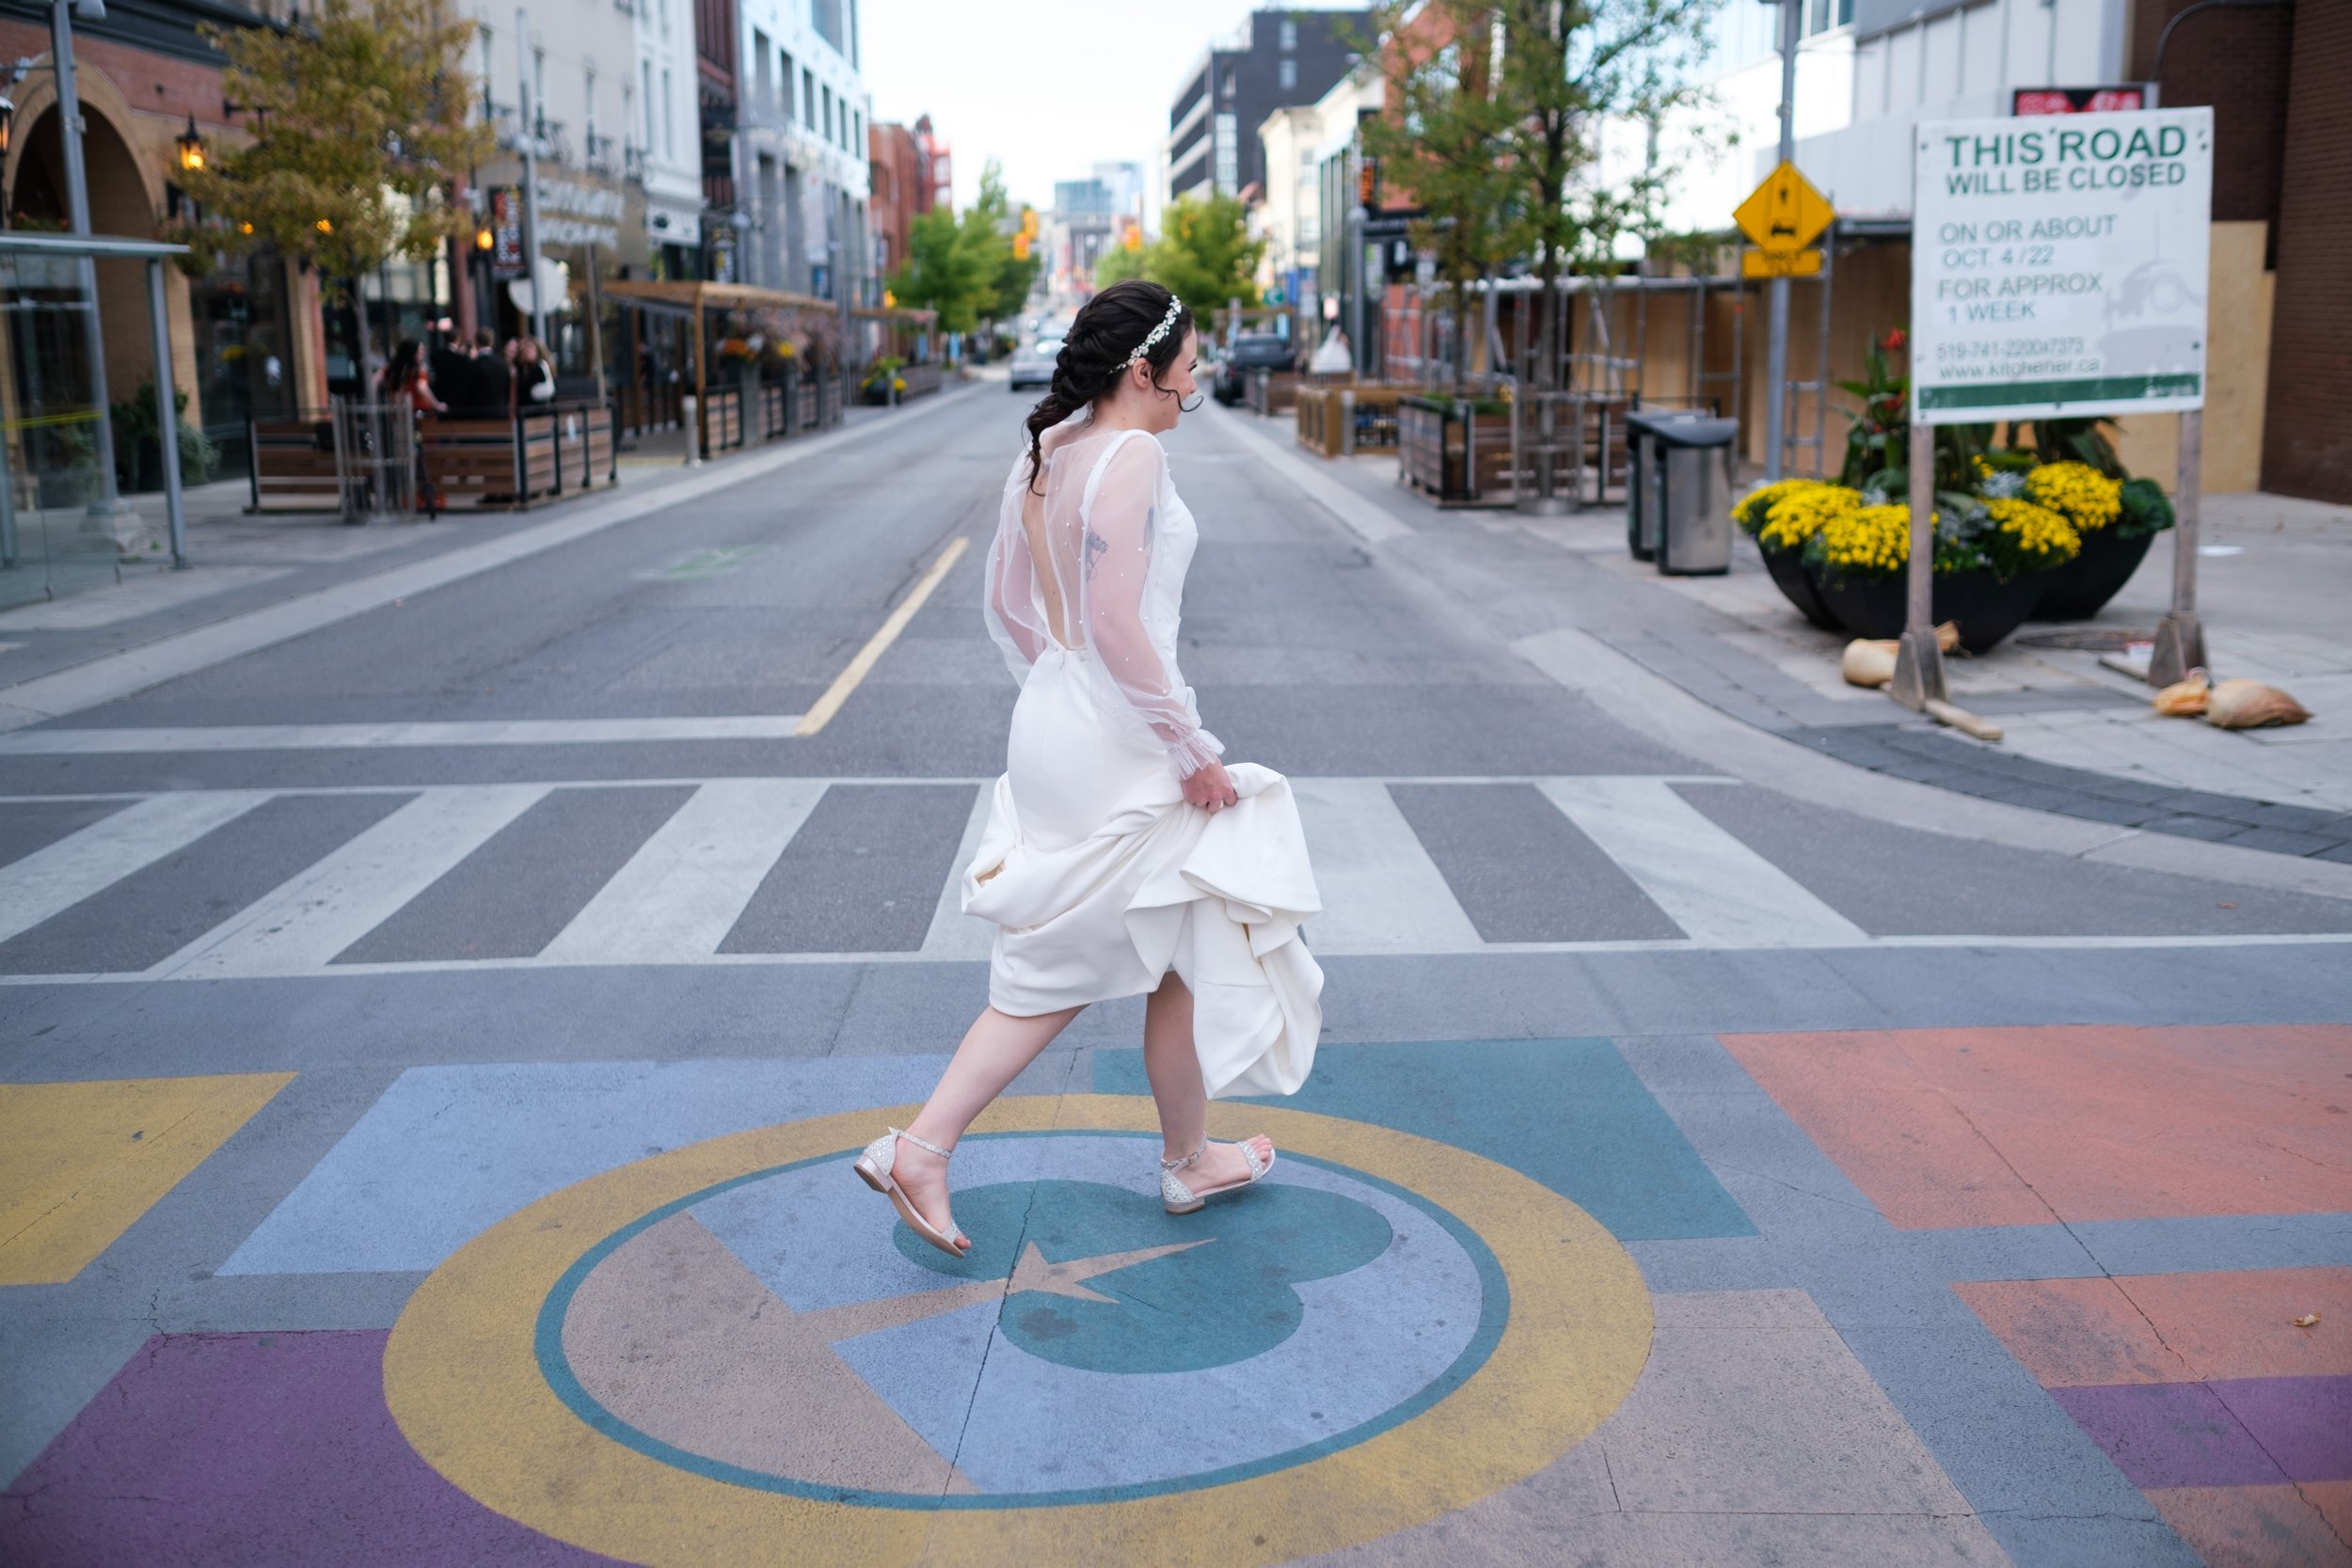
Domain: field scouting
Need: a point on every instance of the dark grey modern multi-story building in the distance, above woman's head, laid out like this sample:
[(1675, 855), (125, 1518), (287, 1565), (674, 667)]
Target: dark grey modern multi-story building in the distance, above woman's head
[(1278, 58)]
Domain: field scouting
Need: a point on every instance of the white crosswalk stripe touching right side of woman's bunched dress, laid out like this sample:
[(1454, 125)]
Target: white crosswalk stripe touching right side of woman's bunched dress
[(1382, 890)]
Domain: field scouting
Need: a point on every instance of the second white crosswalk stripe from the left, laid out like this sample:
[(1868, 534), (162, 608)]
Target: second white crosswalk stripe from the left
[(352, 892)]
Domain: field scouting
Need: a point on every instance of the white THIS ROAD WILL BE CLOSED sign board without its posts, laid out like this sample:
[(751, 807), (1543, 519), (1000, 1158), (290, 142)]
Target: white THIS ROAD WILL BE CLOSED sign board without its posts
[(2059, 264)]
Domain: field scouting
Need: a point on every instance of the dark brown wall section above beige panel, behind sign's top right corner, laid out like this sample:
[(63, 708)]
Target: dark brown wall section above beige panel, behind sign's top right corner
[(2236, 60)]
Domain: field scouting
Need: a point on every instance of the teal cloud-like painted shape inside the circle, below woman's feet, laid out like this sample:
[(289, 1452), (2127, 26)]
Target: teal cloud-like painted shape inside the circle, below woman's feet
[(1224, 1299)]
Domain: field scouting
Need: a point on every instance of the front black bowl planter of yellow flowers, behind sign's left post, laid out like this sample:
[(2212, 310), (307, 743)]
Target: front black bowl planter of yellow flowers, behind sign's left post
[(1993, 561)]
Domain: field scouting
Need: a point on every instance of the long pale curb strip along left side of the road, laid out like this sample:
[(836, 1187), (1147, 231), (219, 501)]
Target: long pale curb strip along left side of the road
[(131, 671)]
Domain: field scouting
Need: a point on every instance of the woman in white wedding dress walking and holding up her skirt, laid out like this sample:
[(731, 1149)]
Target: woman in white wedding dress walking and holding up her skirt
[(1123, 857)]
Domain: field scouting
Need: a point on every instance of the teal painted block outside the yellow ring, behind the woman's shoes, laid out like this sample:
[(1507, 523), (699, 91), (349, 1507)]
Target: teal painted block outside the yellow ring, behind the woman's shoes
[(1568, 1113)]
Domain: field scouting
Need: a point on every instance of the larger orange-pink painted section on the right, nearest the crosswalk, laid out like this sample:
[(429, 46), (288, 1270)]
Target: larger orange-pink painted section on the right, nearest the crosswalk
[(2038, 1125)]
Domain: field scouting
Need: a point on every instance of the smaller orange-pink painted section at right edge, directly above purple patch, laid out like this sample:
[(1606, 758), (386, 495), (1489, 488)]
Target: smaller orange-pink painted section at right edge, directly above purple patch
[(2172, 1327)]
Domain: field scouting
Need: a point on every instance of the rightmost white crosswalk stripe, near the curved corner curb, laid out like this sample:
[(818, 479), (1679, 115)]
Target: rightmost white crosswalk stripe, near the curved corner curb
[(1709, 883)]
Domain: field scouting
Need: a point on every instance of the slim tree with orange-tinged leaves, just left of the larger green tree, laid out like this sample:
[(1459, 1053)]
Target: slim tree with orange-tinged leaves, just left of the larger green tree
[(1441, 145)]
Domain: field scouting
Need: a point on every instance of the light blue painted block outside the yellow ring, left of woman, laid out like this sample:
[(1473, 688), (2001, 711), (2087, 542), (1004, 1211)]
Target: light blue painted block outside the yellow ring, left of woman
[(448, 1153)]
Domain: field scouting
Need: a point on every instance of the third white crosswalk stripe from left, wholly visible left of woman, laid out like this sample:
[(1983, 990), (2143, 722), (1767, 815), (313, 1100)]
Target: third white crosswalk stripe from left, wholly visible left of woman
[(686, 887)]
